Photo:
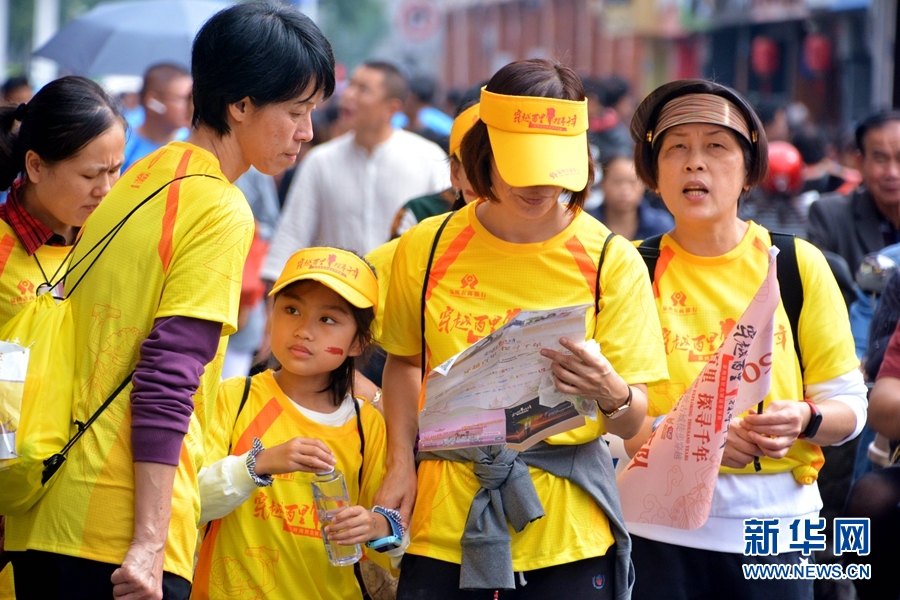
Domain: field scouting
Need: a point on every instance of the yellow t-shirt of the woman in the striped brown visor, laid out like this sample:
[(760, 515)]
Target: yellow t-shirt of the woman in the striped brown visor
[(701, 298)]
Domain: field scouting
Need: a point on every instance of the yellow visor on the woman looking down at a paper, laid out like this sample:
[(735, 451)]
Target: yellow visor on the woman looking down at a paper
[(538, 141)]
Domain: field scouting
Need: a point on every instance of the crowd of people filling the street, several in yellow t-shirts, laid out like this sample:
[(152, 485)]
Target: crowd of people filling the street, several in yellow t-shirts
[(262, 269)]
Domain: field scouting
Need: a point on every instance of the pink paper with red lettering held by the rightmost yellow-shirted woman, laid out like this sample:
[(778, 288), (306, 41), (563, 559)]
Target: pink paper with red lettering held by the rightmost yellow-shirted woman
[(671, 479)]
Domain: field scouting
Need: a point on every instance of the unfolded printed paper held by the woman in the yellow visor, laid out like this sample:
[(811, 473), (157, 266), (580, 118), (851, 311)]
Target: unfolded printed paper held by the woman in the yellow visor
[(500, 390)]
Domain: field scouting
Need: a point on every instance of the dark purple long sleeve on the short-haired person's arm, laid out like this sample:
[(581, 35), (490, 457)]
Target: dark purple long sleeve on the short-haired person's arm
[(173, 357)]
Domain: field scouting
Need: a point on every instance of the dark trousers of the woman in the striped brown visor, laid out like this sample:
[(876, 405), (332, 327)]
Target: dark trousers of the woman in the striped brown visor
[(680, 573)]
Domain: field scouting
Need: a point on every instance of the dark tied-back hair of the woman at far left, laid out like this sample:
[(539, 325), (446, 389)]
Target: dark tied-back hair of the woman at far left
[(63, 117)]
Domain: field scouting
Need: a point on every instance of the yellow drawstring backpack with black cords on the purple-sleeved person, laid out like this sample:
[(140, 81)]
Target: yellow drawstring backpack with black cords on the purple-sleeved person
[(36, 401)]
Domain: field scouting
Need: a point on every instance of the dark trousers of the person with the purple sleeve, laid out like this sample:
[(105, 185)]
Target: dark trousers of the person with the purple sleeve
[(47, 576)]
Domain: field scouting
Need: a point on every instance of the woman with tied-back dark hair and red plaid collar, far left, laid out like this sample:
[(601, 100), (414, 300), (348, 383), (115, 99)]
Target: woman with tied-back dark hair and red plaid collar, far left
[(60, 153)]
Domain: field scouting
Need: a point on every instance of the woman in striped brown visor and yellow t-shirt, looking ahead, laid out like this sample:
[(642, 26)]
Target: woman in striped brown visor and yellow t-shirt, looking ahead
[(702, 148)]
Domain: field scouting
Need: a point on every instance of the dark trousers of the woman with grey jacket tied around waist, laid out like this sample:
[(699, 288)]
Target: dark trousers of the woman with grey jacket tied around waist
[(423, 578)]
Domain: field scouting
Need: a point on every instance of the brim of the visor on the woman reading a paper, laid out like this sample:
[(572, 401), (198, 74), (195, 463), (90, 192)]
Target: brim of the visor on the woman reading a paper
[(529, 159)]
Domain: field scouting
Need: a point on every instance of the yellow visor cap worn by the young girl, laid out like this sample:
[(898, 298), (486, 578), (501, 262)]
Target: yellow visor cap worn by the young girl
[(342, 271)]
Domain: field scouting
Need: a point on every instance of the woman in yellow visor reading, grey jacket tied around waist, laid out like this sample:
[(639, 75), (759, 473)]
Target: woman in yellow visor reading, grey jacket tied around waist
[(518, 248)]
